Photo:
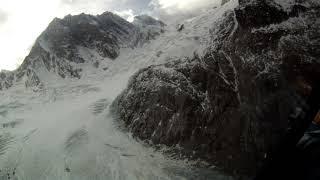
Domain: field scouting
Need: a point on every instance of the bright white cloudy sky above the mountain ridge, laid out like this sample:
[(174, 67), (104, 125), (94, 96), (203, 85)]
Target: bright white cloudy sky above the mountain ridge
[(22, 21)]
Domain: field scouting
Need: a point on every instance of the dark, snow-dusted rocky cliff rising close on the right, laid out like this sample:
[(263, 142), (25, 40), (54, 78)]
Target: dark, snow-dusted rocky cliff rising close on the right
[(230, 105)]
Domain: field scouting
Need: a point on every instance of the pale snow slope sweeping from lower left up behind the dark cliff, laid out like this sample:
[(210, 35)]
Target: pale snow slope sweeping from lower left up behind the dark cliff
[(60, 127)]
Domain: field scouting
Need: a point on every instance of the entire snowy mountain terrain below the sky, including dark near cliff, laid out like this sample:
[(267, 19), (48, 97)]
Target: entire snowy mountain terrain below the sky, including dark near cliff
[(216, 89)]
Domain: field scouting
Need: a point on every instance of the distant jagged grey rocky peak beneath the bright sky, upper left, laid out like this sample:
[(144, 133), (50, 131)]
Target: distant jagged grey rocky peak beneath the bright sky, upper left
[(80, 39)]
